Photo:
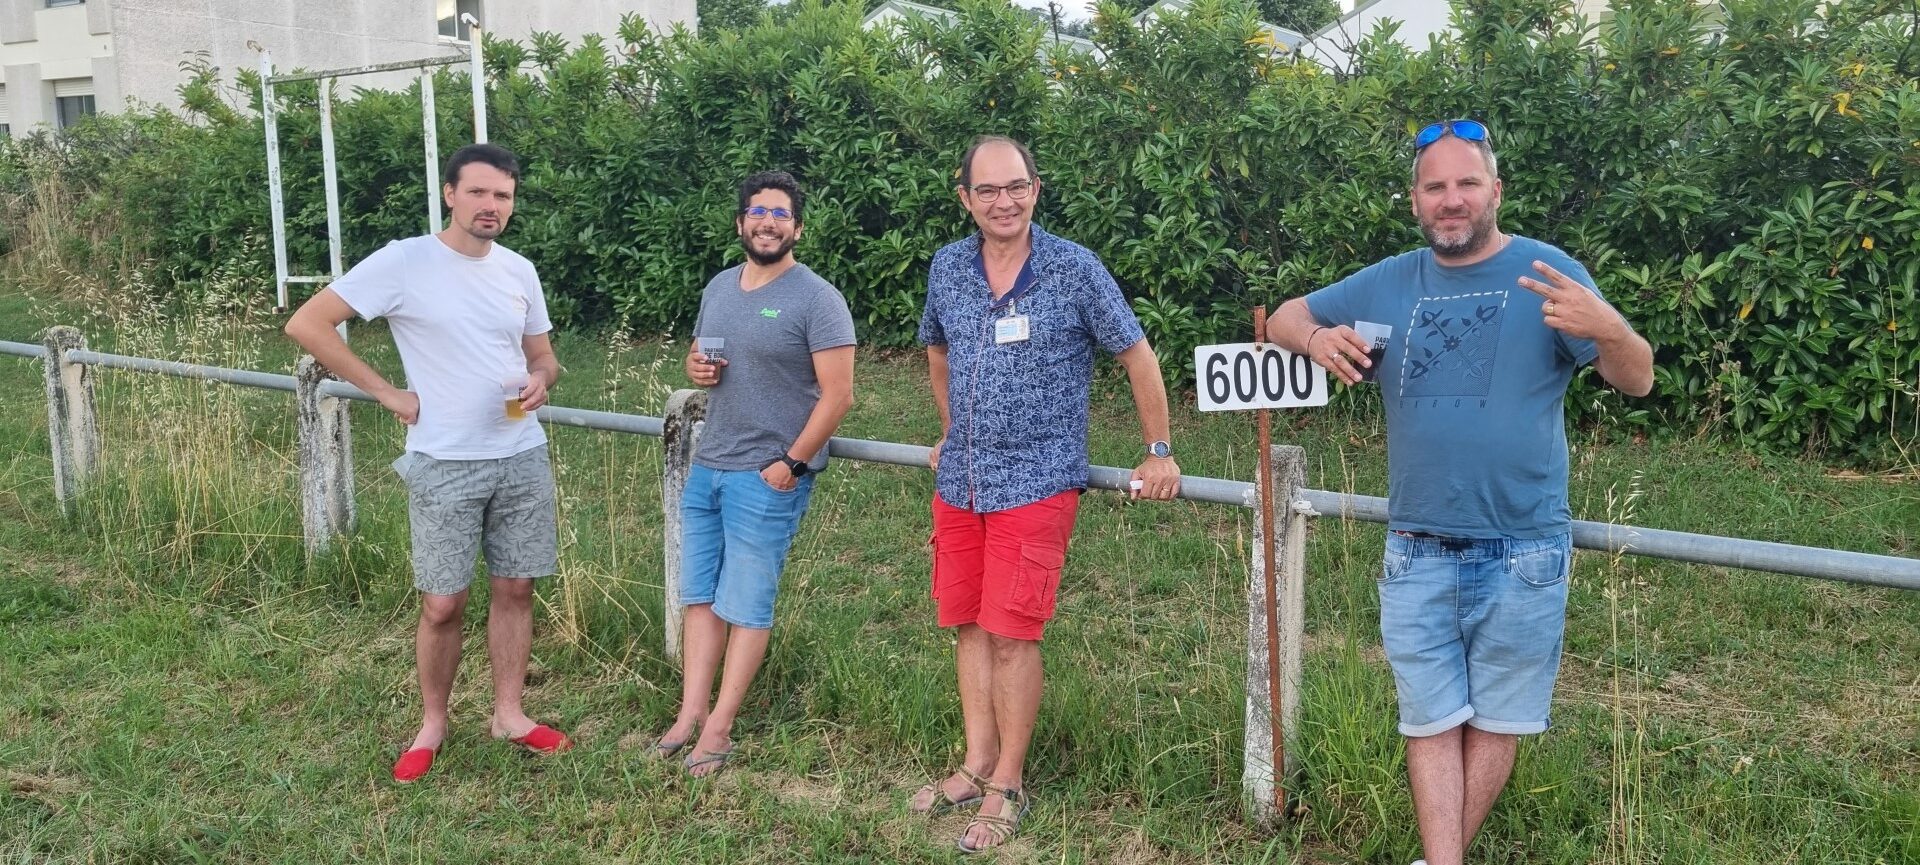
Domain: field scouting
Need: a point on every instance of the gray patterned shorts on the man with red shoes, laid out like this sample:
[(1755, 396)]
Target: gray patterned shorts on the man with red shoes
[(458, 505)]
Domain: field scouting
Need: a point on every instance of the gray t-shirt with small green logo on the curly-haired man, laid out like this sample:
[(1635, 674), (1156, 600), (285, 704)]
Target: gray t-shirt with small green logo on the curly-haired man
[(767, 390)]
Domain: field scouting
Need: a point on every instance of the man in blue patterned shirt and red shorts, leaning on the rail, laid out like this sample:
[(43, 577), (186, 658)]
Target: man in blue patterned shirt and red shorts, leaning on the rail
[(1013, 323)]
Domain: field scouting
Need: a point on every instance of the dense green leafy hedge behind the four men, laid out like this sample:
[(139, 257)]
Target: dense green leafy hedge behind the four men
[(1744, 187)]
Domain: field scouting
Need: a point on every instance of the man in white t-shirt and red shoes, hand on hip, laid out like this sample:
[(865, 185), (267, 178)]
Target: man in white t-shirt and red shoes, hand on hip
[(471, 327)]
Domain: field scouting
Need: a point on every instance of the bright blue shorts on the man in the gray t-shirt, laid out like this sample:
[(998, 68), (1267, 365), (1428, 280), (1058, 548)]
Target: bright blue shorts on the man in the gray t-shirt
[(734, 544)]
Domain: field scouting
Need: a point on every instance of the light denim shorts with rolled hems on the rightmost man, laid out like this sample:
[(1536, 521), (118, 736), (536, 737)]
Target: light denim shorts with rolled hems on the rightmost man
[(1474, 630)]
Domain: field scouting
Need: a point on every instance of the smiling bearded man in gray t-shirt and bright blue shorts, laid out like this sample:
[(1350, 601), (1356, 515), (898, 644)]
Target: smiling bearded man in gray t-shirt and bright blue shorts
[(775, 350)]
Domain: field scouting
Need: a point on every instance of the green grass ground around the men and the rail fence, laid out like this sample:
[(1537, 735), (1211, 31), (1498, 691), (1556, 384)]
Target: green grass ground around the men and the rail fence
[(180, 684)]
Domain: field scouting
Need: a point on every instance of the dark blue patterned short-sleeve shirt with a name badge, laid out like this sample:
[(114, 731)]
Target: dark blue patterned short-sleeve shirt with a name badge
[(1020, 409)]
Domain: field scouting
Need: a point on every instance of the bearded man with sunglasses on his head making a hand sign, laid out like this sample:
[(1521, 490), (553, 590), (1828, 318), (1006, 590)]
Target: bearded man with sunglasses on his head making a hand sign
[(1487, 331)]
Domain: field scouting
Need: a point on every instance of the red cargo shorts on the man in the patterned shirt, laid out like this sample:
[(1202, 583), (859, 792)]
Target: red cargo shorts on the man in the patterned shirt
[(1001, 571)]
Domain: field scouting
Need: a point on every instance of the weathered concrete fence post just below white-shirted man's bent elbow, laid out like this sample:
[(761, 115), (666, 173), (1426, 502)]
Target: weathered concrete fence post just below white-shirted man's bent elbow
[(325, 457)]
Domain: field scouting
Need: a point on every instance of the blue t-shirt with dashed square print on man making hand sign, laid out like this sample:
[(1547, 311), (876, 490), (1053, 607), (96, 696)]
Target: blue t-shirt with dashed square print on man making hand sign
[(1474, 386)]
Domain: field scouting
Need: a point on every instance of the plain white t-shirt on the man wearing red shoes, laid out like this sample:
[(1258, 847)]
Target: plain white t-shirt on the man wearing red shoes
[(458, 323)]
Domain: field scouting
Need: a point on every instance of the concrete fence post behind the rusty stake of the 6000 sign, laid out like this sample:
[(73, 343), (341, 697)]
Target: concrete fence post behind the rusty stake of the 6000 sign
[(1291, 530)]
